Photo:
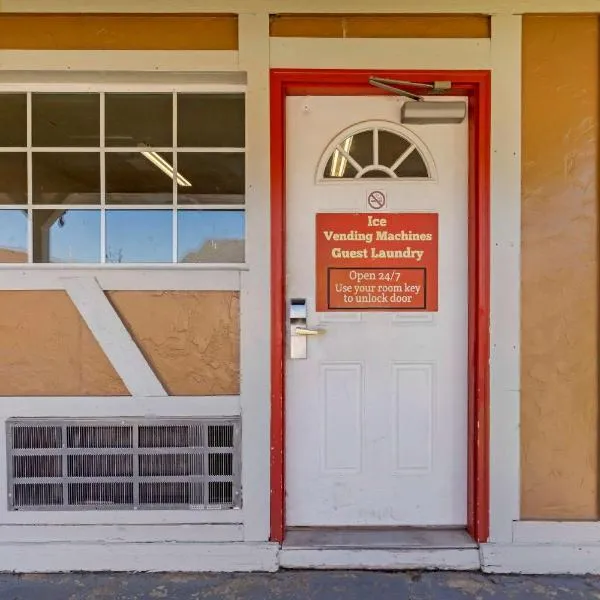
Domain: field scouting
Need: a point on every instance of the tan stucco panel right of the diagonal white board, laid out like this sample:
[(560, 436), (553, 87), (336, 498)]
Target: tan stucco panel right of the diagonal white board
[(190, 339)]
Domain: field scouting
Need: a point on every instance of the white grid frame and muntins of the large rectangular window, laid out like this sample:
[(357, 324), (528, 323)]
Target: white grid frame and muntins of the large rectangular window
[(103, 88)]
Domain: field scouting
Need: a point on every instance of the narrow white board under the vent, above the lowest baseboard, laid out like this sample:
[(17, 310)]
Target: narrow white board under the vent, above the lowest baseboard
[(114, 534)]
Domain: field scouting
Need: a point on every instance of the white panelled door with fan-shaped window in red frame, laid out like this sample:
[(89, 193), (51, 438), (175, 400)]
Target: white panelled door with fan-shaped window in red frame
[(376, 415)]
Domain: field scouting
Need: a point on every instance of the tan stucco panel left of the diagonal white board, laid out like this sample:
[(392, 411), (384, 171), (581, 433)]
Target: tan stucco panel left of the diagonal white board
[(46, 349)]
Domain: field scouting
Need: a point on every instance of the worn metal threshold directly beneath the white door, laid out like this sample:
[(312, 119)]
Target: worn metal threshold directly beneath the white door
[(388, 538)]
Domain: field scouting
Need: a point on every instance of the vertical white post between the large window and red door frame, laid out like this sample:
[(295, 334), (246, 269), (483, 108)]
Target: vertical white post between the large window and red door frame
[(255, 311)]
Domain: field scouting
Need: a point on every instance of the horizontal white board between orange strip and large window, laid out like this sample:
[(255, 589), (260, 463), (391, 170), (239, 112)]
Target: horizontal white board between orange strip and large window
[(119, 60)]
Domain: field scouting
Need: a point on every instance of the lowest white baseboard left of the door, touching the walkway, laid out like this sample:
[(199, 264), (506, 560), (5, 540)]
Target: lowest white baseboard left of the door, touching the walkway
[(152, 557)]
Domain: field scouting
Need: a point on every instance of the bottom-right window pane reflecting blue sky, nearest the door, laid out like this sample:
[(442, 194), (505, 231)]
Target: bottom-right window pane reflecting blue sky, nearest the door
[(209, 236)]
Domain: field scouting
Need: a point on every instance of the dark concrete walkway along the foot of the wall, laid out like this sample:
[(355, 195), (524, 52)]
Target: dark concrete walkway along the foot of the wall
[(305, 585)]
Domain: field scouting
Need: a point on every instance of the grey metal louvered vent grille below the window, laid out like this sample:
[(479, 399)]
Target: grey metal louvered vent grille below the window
[(67, 464)]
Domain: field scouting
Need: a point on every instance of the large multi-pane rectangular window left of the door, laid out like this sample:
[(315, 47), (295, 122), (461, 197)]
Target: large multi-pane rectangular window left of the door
[(112, 177)]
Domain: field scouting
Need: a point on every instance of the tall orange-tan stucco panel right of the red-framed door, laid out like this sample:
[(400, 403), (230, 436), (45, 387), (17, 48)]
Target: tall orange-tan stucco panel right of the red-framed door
[(559, 413)]
